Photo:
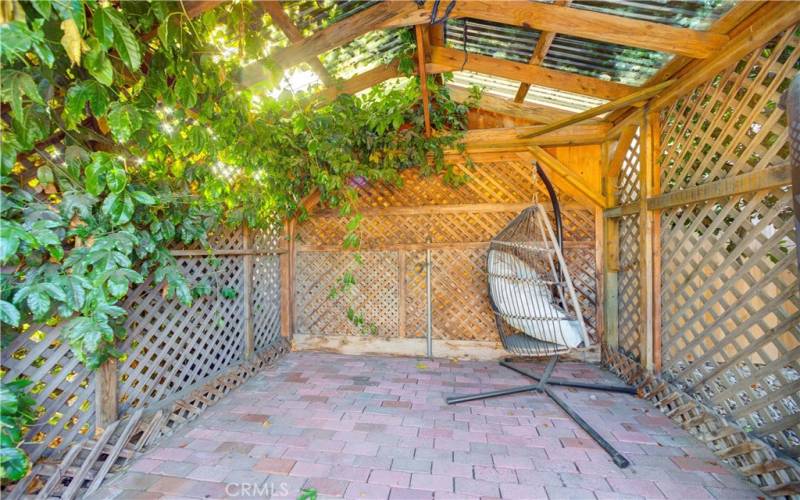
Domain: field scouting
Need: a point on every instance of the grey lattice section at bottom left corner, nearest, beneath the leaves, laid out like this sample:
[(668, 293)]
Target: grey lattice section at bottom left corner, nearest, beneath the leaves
[(63, 388)]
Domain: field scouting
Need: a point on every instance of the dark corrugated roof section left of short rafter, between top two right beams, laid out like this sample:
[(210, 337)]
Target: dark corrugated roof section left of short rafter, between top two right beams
[(491, 39)]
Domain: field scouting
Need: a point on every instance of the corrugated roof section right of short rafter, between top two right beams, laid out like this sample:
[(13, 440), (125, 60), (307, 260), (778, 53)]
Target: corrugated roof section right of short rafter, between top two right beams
[(607, 61)]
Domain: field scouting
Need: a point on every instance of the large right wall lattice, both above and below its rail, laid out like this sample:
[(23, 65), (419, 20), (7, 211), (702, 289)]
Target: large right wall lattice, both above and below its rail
[(730, 302)]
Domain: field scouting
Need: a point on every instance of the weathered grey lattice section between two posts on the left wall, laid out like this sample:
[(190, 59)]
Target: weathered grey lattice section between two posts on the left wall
[(171, 346)]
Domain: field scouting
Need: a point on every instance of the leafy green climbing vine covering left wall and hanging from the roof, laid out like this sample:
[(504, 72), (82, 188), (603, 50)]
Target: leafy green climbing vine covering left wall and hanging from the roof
[(125, 130)]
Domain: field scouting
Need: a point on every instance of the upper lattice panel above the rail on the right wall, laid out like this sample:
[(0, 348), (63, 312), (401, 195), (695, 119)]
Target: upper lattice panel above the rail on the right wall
[(732, 124)]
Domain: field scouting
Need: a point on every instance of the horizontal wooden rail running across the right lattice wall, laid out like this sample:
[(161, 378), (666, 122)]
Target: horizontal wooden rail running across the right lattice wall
[(768, 178)]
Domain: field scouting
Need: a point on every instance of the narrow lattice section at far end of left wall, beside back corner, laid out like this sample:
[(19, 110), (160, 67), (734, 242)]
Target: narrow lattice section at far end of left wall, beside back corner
[(266, 286)]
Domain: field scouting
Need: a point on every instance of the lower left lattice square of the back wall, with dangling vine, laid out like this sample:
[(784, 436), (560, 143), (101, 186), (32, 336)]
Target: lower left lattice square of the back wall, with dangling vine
[(375, 293)]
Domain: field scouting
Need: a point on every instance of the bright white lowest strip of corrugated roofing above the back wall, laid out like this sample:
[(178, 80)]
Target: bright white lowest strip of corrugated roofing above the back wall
[(507, 89)]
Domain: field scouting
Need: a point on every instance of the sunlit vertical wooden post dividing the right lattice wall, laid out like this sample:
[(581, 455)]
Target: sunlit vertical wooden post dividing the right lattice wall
[(646, 167)]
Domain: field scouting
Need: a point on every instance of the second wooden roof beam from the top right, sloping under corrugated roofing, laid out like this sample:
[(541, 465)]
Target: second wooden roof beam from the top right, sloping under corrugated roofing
[(445, 59)]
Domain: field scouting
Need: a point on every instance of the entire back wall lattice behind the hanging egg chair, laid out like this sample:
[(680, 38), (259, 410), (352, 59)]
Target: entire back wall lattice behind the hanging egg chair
[(399, 224)]
